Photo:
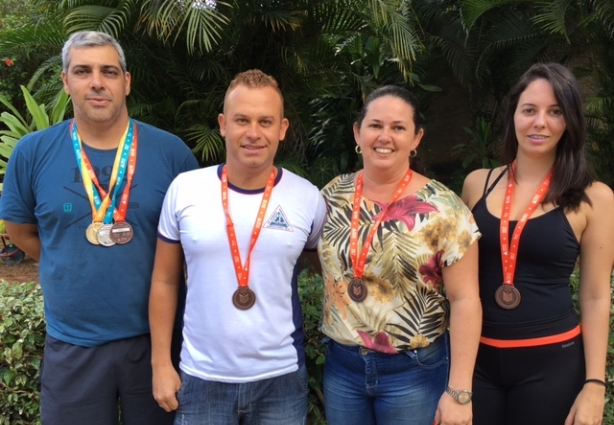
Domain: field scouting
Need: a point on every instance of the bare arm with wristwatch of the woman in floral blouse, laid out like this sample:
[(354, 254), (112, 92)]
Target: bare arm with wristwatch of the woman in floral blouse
[(461, 282)]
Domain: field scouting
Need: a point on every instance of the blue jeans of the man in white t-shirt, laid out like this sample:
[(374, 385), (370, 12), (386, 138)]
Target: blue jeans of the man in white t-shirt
[(275, 401)]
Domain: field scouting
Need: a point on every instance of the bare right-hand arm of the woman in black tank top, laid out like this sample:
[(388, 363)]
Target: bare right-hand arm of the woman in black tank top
[(596, 256)]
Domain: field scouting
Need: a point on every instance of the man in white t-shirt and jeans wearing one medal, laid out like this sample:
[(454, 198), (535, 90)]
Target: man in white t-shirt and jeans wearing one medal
[(241, 228)]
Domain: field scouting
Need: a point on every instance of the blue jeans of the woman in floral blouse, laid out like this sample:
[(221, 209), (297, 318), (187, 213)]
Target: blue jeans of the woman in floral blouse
[(367, 388)]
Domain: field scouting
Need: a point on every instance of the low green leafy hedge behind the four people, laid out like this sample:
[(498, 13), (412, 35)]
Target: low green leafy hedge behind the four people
[(22, 335)]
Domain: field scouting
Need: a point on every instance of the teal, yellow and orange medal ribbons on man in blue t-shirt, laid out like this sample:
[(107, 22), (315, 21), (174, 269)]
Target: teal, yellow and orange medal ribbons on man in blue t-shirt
[(100, 200)]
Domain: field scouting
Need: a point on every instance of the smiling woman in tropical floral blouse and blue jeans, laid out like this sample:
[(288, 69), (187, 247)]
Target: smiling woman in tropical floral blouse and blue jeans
[(399, 264)]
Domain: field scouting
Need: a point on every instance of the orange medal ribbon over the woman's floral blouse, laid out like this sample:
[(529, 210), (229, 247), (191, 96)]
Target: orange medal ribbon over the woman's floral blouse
[(358, 262)]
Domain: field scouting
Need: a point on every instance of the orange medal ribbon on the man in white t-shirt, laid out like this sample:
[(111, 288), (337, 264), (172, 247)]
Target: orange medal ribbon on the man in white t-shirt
[(241, 271)]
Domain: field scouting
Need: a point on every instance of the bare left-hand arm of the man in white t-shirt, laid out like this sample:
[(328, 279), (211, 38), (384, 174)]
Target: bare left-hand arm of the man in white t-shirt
[(168, 267)]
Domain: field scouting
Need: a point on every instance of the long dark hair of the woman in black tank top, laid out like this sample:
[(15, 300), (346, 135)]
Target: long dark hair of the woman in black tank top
[(571, 173)]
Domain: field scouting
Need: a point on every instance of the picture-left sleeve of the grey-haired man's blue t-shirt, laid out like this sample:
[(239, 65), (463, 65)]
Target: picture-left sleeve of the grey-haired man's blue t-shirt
[(17, 203)]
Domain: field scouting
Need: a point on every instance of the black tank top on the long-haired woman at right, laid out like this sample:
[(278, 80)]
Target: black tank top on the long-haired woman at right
[(547, 255)]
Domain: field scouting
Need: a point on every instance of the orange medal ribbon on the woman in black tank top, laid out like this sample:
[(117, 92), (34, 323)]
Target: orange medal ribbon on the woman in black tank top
[(509, 251)]
